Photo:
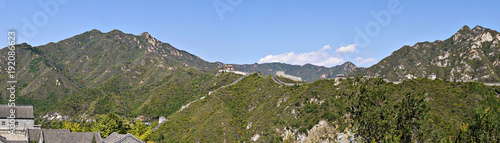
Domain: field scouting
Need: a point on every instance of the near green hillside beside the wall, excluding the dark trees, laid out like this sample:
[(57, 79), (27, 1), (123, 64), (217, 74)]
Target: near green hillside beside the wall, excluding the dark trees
[(320, 110)]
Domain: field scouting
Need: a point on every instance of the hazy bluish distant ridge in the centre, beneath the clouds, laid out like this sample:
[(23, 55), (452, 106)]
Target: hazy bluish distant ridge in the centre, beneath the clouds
[(308, 72)]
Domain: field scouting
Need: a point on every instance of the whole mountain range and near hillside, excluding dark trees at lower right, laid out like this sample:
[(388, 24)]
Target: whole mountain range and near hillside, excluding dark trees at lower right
[(95, 73)]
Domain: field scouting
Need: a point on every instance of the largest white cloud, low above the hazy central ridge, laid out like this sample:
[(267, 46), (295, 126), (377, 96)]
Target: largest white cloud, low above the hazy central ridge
[(320, 57)]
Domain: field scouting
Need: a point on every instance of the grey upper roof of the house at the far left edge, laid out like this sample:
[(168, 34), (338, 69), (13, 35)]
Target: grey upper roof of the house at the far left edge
[(22, 112)]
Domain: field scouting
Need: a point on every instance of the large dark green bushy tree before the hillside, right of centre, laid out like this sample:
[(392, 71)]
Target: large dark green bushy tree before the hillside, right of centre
[(382, 119)]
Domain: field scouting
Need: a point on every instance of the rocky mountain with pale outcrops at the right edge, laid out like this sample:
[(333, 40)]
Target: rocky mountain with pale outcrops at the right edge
[(470, 54)]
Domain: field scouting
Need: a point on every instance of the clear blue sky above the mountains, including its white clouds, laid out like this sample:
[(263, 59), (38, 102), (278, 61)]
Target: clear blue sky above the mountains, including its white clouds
[(322, 32)]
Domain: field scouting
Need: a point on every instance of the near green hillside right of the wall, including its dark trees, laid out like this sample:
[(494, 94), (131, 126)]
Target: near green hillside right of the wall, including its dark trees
[(415, 110)]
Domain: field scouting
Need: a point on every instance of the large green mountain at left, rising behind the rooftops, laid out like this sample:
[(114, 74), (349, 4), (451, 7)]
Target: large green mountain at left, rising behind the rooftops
[(100, 67)]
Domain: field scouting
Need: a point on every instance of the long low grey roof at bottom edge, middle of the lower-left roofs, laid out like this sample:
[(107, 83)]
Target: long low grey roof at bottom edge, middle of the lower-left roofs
[(78, 137)]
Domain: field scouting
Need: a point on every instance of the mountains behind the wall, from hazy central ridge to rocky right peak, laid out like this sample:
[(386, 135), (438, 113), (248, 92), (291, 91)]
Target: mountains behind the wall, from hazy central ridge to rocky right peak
[(468, 55)]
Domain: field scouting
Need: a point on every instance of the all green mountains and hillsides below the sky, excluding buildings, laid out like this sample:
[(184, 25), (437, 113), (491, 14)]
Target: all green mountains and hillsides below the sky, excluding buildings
[(92, 78)]
